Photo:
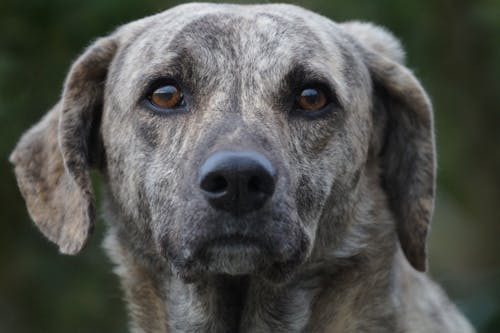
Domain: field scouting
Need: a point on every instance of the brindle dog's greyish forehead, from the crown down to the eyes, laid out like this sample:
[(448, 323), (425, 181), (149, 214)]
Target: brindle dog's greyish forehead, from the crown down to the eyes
[(259, 43)]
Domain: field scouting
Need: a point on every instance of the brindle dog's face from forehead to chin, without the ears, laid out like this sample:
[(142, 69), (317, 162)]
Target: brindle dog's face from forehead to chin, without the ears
[(241, 77)]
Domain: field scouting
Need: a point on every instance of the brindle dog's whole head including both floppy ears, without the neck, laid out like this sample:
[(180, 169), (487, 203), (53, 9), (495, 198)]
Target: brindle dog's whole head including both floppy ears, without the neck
[(226, 134)]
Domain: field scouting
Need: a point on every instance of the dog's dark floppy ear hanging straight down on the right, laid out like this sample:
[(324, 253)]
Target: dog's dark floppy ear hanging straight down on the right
[(406, 151)]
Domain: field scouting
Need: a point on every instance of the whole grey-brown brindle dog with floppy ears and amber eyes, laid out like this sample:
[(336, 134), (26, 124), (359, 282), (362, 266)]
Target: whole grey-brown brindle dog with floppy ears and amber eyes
[(265, 170)]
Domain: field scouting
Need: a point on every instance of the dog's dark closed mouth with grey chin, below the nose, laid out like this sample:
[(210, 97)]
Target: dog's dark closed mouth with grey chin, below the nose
[(270, 244)]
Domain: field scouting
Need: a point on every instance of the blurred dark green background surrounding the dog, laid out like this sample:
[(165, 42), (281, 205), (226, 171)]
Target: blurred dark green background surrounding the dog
[(453, 47)]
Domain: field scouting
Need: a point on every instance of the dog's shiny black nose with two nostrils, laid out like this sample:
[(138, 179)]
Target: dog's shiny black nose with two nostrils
[(237, 182)]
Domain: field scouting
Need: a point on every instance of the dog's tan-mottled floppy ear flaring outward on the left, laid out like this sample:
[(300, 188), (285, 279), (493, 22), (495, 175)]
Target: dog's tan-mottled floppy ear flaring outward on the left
[(53, 158)]
